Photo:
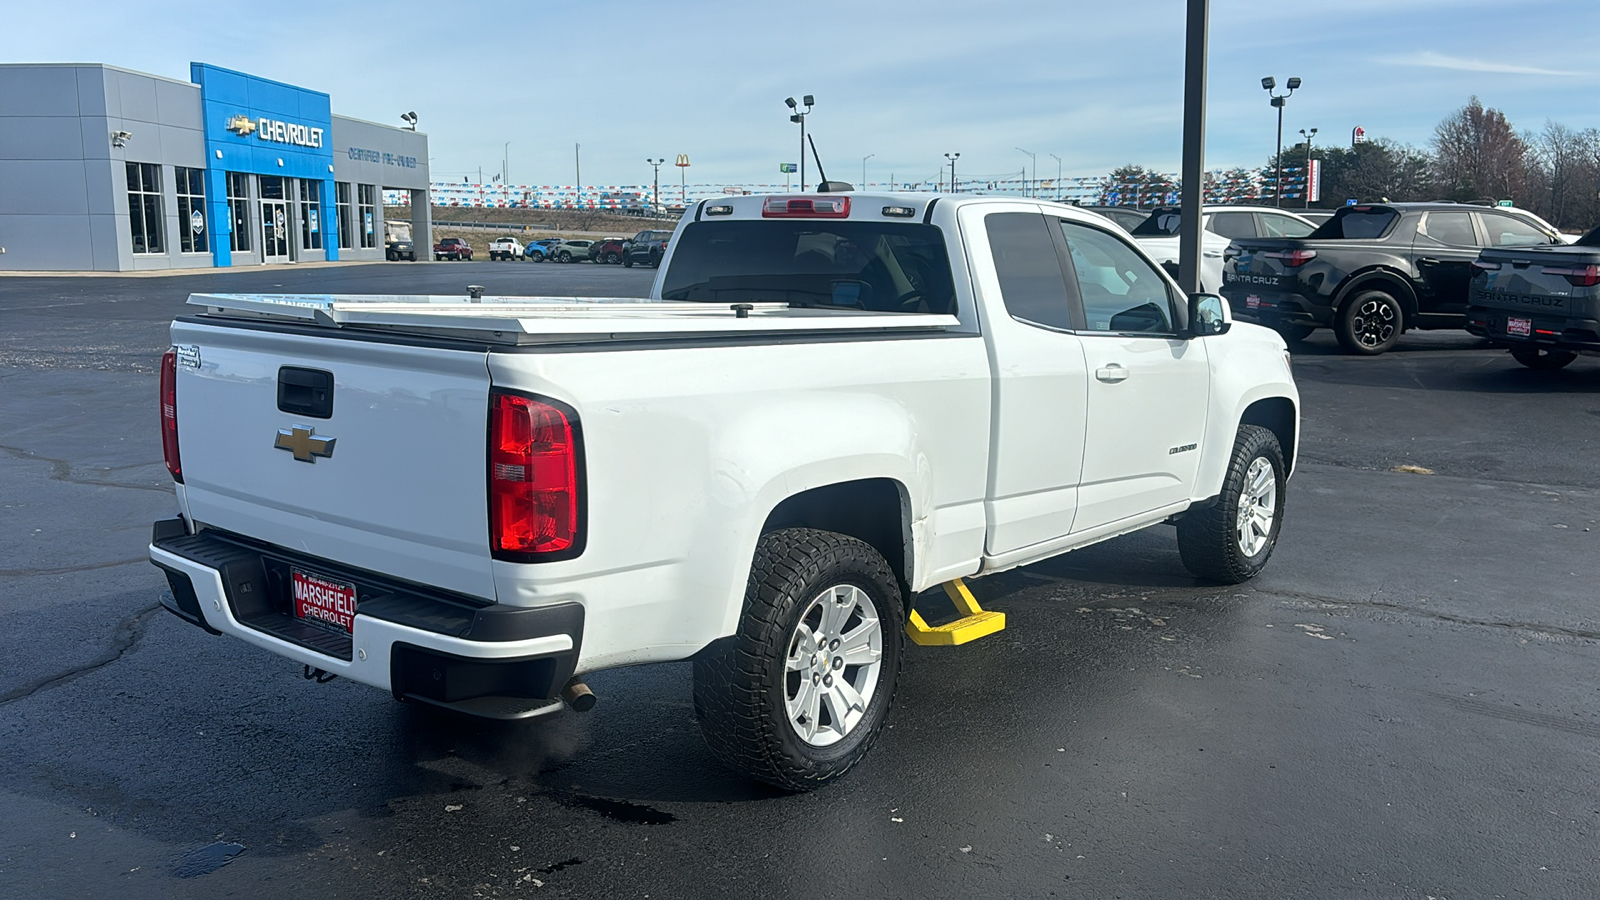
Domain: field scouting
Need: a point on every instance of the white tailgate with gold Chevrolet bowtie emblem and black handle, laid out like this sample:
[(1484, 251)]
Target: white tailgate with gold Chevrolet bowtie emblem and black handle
[(401, 489)]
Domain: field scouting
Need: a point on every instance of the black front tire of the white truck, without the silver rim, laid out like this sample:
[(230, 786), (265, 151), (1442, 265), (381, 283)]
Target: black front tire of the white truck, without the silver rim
[(1209, 539)]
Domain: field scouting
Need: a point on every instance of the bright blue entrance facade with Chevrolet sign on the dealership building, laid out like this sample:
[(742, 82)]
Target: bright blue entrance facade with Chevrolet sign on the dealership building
[(265, 127)]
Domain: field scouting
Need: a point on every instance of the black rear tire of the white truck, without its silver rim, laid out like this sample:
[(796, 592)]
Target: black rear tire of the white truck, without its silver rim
[(742, 685)]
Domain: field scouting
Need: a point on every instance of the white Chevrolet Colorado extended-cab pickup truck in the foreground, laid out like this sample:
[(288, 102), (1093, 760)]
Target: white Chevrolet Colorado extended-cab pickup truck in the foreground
[(830, 404)]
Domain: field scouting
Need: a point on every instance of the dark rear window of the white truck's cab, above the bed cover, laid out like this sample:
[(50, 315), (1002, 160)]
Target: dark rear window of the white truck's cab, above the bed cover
[(878, 267)]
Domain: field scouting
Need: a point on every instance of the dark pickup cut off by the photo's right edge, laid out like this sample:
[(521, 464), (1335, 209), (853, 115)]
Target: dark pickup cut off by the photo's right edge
[(1540, 302)]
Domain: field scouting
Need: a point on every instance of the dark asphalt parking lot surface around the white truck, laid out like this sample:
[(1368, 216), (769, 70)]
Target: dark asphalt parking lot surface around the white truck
[(1404, 705)]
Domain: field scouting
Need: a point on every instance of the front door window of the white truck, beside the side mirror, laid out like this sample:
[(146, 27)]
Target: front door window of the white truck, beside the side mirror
[(1121, 291)]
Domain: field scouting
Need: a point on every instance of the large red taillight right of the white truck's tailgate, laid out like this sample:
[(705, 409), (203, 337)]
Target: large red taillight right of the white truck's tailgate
[(534, 480)]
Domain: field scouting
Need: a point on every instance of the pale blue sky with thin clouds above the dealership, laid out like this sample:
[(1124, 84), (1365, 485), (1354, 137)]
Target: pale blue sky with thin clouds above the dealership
[(1095, 82)]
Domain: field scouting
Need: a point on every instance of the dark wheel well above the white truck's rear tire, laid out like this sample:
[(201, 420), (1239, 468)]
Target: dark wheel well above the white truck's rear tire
[(871, 510)]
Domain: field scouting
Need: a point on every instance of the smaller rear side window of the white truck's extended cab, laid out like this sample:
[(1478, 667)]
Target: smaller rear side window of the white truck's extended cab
[(1033, 284)]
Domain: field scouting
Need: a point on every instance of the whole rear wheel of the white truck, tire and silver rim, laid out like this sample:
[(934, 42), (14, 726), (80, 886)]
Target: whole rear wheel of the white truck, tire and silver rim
[(799, 694)]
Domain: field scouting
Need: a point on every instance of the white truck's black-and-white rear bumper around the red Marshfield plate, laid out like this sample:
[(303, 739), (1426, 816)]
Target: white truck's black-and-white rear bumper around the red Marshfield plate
[(418, 645)]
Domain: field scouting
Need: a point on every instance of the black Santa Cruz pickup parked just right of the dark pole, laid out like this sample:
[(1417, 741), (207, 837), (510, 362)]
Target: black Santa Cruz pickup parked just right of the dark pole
[(1374, 271)]
